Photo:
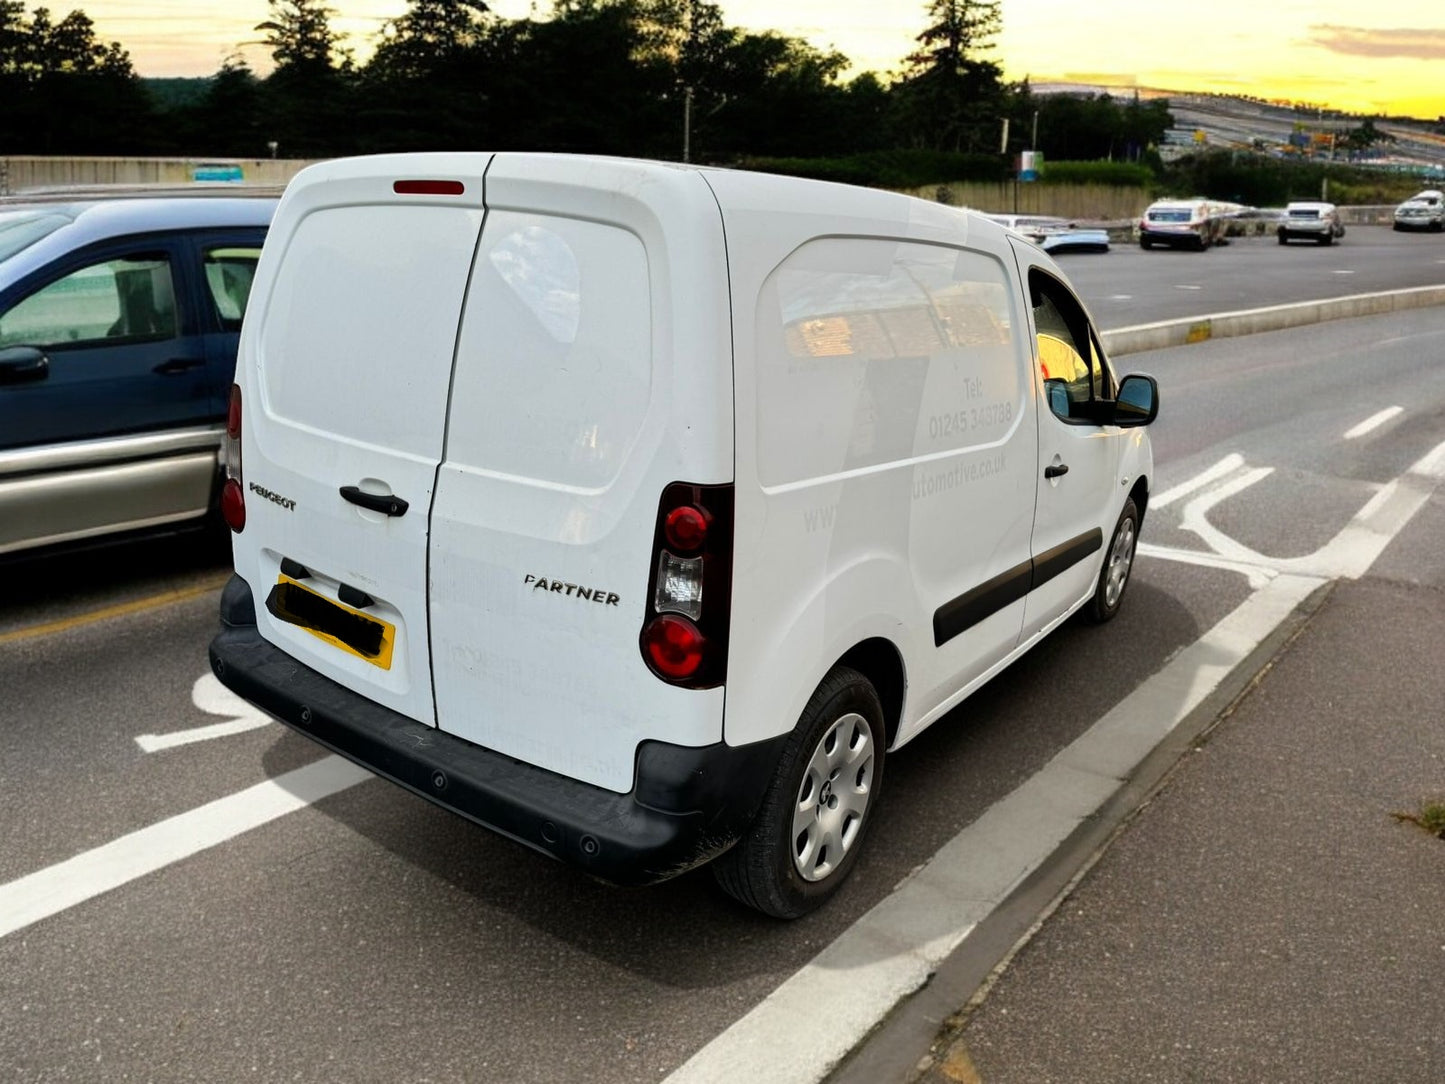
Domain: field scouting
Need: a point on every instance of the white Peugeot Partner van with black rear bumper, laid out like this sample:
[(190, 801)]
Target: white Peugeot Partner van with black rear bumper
[(641, 512)]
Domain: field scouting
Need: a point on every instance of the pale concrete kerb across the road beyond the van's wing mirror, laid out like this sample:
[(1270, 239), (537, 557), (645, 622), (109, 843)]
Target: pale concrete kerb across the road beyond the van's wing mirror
[(1177, 333)]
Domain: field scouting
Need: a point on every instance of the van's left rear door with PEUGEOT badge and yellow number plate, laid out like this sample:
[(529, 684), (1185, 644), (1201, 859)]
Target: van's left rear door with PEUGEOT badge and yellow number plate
[(346, 365)]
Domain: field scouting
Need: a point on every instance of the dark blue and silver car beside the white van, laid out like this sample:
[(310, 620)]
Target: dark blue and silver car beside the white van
[(119, 323)]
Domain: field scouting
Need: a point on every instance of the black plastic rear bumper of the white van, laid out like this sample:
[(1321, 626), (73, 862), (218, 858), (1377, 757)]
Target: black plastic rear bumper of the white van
[(687, 806)]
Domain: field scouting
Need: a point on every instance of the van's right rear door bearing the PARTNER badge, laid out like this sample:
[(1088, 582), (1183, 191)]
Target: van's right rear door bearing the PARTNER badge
[(593, 369)]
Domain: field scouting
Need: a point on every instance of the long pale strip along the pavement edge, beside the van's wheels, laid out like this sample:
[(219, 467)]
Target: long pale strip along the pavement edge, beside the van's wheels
[(894, 949)]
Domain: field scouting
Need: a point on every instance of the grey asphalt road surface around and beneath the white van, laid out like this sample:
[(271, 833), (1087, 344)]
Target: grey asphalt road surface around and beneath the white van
[(372, 937)]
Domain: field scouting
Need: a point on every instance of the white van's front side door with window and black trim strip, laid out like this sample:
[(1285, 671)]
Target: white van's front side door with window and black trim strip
[(1079, 492)]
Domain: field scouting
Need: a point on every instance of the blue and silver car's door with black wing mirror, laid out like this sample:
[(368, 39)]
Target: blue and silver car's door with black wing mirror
[(103, 388)]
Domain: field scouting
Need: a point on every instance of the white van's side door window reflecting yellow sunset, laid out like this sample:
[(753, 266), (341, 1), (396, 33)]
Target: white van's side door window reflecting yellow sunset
[(1070, 361)]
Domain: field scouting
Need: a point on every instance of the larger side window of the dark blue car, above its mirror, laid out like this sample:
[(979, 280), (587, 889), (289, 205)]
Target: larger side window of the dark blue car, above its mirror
[(131, 298)]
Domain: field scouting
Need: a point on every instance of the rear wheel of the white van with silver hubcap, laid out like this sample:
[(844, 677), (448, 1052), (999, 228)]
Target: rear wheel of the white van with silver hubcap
[(807, 836)]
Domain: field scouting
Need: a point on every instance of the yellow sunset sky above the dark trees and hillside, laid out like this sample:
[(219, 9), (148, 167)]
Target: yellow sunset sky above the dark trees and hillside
[(1372, 59)]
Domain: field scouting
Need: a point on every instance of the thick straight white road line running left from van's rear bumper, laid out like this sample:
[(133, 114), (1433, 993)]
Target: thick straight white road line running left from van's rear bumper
[(89, 875)]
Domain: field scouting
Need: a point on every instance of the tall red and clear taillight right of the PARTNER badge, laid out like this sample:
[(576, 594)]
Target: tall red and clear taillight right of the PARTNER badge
[(686, 629)]
